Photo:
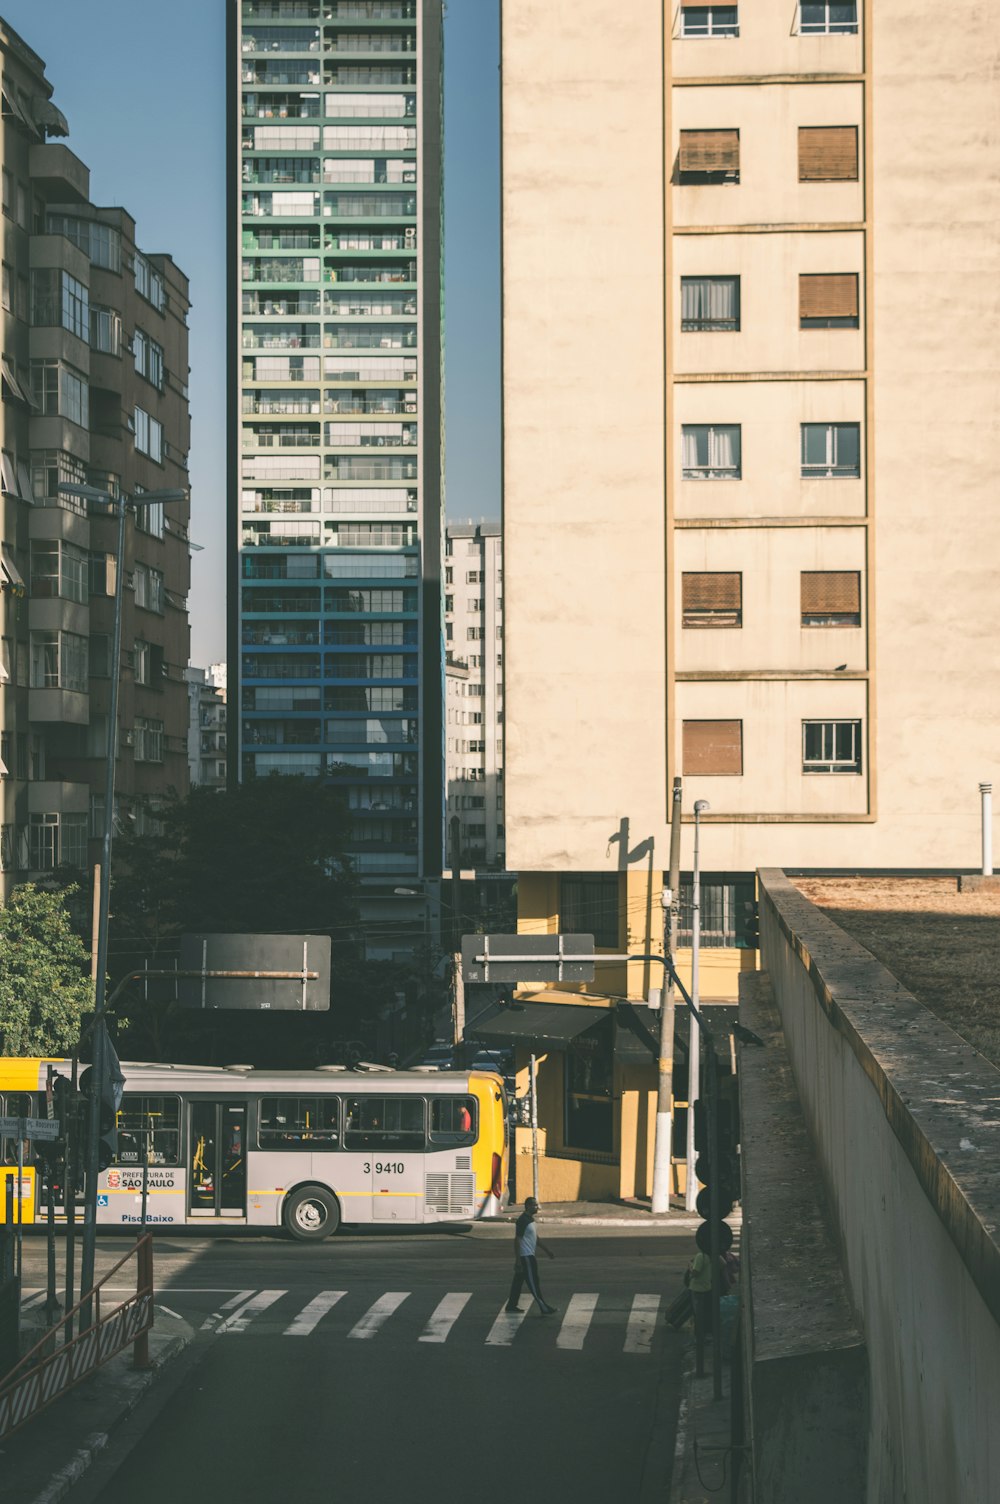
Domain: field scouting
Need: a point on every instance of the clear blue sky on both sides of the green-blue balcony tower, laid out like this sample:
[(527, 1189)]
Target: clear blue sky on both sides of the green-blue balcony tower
[(144, 88)]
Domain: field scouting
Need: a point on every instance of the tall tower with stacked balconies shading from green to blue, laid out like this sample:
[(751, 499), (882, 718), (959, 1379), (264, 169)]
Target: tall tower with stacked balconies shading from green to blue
[(336, 631)]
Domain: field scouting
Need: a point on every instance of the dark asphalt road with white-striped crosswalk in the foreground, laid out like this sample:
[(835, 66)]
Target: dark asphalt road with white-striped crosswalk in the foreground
[(381, 1368)]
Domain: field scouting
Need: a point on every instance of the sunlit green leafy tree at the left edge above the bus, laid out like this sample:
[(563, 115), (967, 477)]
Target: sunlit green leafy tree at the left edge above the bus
[(44, 974)]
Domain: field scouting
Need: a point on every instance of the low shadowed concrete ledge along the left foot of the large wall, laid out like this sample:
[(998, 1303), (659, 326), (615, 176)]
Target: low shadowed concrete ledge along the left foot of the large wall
[(804, 1351)]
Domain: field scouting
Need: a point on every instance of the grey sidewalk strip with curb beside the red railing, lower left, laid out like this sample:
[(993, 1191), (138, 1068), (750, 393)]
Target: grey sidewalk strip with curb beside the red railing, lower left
[(43, 1461)]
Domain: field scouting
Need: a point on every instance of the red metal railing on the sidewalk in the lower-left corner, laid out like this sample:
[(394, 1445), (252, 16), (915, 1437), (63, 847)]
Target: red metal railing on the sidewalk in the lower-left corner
[(52, 1368)]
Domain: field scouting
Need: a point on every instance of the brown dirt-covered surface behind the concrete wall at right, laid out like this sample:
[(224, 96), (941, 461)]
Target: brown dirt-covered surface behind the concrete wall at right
[(944, 945)]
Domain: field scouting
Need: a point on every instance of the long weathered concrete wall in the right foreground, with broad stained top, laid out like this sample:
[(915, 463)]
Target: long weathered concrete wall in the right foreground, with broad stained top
[(905, 1118)]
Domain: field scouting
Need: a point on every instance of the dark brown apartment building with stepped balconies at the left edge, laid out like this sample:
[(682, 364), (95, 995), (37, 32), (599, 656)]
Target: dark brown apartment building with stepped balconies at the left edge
[(95, 392)]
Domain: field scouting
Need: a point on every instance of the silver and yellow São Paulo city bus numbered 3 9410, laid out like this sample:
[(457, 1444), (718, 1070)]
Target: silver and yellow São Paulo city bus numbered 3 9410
[(305, 1151)]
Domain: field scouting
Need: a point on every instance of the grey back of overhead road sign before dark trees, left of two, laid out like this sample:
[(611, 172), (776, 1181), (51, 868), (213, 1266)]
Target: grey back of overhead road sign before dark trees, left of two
[(237, 972)]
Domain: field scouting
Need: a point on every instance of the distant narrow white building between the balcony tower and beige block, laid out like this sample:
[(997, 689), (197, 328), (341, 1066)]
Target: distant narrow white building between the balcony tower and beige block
[(474, 703)]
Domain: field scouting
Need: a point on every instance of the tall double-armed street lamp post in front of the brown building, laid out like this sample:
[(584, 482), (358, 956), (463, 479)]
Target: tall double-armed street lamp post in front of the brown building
[(120, 505)]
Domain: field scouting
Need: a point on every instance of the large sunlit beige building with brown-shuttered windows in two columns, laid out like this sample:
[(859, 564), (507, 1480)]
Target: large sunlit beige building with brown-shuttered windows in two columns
[(754, 544)]
